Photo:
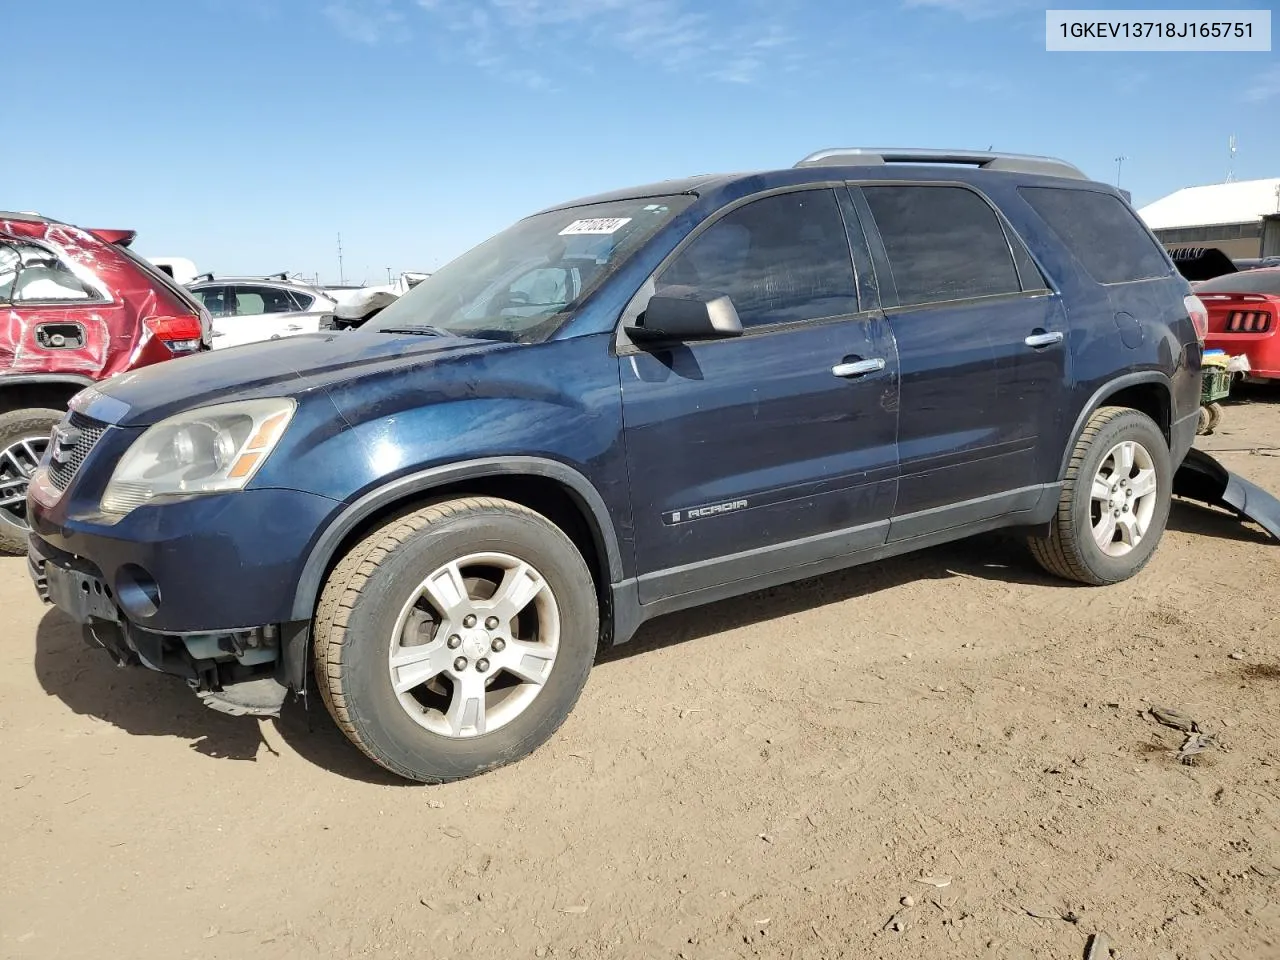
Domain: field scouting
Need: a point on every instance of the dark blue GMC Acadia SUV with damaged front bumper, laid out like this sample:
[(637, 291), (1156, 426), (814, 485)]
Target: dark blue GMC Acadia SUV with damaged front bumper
[(621, 408)]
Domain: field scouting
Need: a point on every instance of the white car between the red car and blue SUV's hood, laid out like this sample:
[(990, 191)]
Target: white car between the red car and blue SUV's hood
[(250, 309)]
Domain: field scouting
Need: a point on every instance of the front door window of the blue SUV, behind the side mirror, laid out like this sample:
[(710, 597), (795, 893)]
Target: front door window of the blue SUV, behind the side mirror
[(781, 259)]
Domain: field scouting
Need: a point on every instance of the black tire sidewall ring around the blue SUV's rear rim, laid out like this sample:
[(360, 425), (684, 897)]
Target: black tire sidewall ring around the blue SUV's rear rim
[(1140, 428)]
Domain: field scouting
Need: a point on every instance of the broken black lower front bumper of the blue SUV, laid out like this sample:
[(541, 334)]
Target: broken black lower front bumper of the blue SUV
[(241, 671)]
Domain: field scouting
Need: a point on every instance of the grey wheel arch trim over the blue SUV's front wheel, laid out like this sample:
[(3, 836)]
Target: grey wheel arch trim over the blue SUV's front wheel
[(548, 487)]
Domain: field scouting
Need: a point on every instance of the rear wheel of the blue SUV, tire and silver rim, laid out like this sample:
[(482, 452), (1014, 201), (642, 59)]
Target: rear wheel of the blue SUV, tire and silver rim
[(1114, 504)]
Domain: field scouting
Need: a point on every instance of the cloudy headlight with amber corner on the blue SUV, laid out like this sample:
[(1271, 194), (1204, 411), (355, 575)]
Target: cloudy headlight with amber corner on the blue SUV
[(209, 450)]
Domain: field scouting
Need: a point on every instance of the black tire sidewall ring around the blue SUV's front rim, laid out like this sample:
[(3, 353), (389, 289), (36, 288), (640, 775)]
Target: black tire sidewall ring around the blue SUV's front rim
[(374, 708)]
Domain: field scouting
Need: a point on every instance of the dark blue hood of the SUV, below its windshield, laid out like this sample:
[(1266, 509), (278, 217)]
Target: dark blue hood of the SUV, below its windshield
[(287, 368)]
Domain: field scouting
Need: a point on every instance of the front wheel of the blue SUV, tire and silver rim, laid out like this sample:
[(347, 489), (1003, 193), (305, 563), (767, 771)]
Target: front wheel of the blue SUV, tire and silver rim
[(456, 639)]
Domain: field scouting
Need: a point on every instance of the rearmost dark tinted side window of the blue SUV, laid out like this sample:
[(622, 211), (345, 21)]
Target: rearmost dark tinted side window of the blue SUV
[(1101, 232)]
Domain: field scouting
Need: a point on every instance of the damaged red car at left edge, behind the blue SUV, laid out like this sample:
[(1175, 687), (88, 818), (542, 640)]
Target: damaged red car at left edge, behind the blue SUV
[(76, 307)]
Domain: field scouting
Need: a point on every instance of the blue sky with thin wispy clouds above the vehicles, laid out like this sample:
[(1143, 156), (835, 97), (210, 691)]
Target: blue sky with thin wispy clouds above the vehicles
[(249, 134)]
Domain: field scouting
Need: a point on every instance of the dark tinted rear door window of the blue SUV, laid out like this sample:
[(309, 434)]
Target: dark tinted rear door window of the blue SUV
[(943, 243)]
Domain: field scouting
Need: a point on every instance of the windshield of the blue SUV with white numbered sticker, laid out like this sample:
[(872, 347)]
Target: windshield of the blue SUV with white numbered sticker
[(522, 285)]
